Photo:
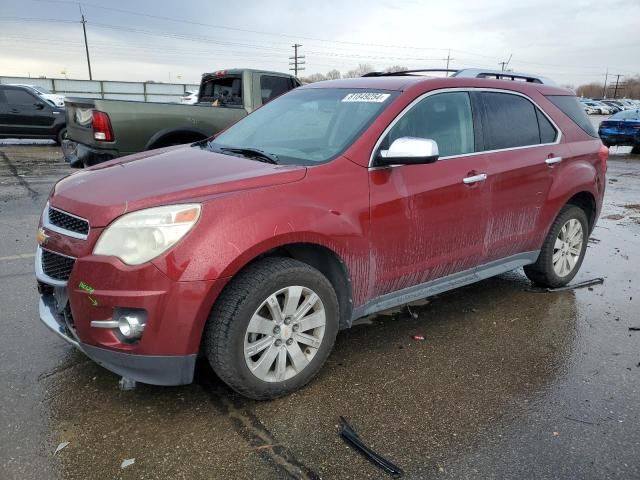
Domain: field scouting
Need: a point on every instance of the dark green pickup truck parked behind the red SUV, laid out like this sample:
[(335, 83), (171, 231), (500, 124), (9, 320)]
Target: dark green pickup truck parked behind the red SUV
[(100, 130)]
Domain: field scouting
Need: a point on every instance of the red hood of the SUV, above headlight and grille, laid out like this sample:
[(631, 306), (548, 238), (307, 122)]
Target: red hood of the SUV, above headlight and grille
[(161, 177)]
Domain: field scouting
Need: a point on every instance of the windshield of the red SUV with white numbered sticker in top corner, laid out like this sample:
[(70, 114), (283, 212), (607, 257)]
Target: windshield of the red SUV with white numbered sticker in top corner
[(307, 126)]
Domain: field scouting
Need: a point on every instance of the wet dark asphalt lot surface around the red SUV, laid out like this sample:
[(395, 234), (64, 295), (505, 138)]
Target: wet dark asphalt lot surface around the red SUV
[(509, 382)]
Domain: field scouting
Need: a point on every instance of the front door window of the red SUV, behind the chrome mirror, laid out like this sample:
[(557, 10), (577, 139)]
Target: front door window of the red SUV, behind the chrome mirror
[(443, 117)]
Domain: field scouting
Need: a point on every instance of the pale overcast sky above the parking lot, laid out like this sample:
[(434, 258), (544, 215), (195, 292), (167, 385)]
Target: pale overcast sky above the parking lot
[(571, 41)]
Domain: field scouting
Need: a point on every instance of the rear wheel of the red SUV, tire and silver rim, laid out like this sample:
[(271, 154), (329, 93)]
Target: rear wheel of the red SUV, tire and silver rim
[(543, 272)]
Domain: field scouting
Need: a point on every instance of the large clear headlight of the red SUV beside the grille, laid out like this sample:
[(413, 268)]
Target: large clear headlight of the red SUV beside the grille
[(137, 237)]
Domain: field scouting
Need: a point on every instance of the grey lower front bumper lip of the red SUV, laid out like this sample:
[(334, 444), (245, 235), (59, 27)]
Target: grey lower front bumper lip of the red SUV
[(152, 369)]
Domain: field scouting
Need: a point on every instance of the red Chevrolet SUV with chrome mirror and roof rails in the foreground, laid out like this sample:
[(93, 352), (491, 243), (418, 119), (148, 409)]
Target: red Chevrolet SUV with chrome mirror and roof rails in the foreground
[(337, 200)]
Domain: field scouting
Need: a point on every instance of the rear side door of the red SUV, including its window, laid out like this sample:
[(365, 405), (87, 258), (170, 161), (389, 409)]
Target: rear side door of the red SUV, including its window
[(522, 156)]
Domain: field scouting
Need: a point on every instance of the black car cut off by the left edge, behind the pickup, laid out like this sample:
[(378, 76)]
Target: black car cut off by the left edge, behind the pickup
[(25, 114)]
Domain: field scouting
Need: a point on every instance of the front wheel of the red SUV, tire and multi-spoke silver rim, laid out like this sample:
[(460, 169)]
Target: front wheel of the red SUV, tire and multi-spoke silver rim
[(228, 341)]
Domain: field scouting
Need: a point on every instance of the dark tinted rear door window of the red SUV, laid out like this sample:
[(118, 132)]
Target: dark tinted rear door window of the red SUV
[(511, 121)]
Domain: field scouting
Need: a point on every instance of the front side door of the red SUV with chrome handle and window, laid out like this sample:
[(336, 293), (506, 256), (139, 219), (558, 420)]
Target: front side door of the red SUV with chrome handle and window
[(429, 221)]
